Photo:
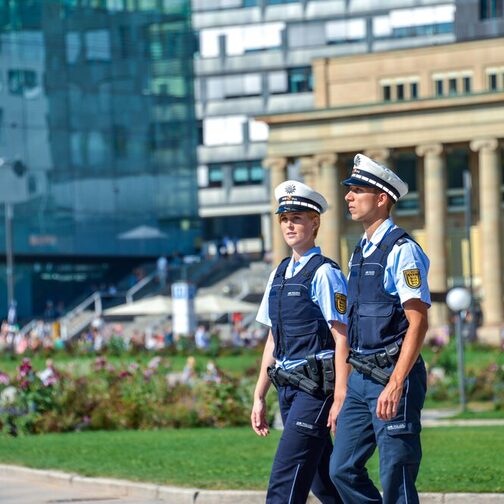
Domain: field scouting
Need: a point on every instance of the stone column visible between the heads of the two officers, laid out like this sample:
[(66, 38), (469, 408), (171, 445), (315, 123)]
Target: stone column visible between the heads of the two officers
[(329, 236)]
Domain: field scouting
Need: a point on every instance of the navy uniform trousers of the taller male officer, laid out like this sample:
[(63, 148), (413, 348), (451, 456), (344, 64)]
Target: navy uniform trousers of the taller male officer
[(359, 432)]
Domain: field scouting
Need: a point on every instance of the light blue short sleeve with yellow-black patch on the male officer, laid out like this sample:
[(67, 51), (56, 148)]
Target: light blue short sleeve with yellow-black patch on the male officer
[(408, 269)]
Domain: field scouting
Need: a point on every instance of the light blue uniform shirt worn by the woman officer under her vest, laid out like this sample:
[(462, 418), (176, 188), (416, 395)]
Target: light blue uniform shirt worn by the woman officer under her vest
[(327, 282)]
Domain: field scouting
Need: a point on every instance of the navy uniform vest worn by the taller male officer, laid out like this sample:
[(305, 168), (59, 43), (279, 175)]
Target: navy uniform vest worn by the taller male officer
[(375, 317)]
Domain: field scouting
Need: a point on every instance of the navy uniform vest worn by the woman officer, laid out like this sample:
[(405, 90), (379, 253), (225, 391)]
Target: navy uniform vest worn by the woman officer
[(297, 323)]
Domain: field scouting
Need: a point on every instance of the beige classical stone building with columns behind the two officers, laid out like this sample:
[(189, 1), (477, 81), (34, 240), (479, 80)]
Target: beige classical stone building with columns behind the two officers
[(430, 114)]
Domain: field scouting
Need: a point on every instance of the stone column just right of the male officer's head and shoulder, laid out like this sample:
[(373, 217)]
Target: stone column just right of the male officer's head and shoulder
[(435, 225)]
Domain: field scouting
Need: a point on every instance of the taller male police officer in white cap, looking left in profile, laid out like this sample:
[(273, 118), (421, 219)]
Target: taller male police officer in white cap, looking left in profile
[(388, 298)]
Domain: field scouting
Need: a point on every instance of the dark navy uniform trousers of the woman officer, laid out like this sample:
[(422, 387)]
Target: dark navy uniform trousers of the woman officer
[(302, 458)]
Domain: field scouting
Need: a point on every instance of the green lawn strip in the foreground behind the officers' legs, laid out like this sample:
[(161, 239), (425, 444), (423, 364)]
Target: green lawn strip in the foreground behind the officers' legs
[(458, 459)]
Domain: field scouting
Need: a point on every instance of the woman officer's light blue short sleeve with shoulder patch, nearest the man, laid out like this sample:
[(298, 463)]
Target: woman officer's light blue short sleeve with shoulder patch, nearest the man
[(329, 291)]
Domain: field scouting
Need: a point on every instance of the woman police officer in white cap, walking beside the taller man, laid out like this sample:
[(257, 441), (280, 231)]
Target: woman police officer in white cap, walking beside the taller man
[(305, 307)]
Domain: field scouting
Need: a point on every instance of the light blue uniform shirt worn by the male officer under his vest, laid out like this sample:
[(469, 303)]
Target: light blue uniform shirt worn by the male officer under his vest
[(403, 257)]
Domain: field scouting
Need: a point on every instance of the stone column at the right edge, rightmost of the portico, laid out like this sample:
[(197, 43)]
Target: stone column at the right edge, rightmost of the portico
[(491, 230)]
